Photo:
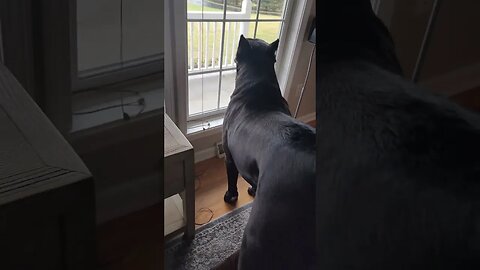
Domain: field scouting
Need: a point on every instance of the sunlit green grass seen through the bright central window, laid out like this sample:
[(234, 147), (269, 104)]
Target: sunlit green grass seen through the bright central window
[(267, 31)]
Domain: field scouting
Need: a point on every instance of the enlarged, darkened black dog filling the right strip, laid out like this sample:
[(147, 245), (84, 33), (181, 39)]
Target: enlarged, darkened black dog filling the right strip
[(398, 167)]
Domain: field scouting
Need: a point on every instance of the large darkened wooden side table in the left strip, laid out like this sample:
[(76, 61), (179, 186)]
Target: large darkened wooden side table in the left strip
[(47, 202)]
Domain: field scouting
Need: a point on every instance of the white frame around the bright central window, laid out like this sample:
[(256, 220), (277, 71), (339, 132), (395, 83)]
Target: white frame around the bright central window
[(176, 99)]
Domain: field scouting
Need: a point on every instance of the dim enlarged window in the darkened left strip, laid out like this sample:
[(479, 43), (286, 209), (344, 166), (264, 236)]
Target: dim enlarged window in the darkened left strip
[(118, 61)]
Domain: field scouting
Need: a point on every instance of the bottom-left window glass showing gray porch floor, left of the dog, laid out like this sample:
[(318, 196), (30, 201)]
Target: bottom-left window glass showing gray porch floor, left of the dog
[(202, 92)]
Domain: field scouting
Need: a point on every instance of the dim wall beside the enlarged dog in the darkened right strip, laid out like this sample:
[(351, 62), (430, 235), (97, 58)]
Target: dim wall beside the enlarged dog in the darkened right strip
[(452, 61)]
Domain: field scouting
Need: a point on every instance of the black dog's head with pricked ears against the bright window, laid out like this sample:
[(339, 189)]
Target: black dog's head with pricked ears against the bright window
[(256, 55)]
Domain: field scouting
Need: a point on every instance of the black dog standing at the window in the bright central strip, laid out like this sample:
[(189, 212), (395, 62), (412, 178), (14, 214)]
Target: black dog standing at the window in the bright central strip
[(276, 154)]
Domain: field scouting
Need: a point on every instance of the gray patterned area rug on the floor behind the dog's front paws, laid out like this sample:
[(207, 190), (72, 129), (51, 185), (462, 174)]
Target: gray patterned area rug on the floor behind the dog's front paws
[(213, 242)]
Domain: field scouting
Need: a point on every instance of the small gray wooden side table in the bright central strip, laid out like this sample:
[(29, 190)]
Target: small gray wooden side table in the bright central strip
[(179, 173)]
